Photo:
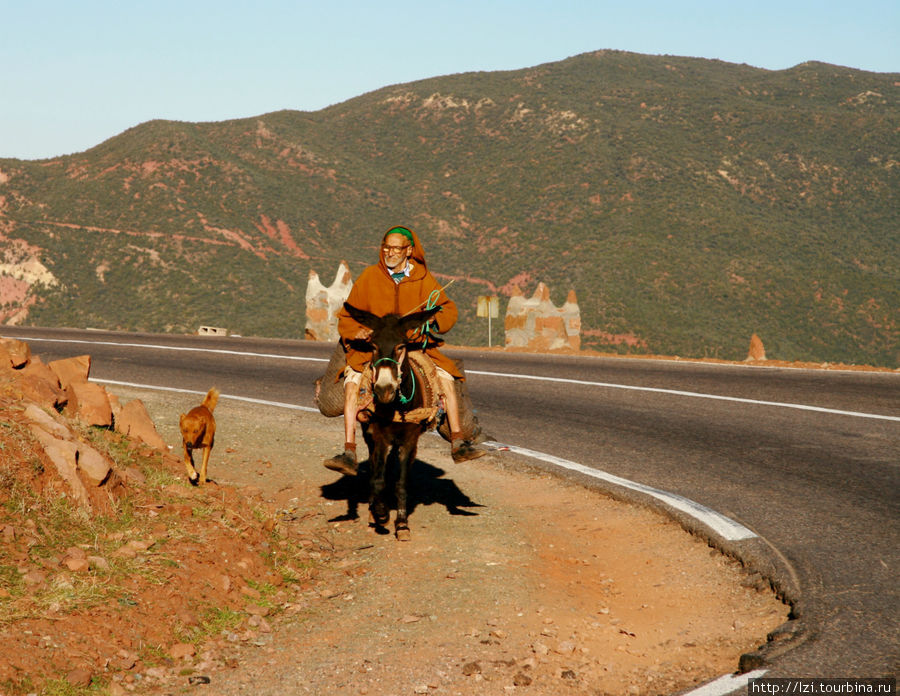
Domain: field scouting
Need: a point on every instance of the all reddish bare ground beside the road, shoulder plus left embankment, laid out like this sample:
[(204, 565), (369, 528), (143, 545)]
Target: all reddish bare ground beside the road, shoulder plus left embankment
[(515, 581)]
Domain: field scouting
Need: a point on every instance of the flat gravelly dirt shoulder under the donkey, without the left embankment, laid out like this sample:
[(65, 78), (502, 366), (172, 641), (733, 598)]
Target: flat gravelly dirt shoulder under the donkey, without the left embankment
[(515, 581)]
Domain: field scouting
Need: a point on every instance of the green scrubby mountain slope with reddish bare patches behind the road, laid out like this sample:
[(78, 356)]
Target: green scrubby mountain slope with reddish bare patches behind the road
[(689, 203)]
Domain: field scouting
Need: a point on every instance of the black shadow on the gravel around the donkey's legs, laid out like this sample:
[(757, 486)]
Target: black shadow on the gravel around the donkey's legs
[(426, 486)]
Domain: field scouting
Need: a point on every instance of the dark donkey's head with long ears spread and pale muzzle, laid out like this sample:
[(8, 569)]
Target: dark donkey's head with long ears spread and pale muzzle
[(389, 346)]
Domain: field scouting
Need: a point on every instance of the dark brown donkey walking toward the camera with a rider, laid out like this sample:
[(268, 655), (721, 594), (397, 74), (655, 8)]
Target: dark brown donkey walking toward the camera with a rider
[(395, 391)]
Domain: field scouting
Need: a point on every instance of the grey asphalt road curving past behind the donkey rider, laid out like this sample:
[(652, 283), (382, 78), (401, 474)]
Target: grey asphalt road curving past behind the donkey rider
[(806, 459)]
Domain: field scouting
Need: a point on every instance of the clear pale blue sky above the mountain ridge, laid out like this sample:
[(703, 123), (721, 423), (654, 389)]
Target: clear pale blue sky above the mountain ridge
[(74, 73)]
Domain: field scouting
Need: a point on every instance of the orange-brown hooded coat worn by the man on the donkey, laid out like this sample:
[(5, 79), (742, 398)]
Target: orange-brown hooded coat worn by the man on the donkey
[(376, 292)]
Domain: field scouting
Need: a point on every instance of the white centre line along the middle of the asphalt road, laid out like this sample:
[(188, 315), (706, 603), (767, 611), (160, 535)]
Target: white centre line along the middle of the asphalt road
[(509, 375)]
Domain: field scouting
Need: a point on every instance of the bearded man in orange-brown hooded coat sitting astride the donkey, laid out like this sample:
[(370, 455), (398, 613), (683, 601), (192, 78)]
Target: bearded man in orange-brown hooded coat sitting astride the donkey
[(400, 283)]
